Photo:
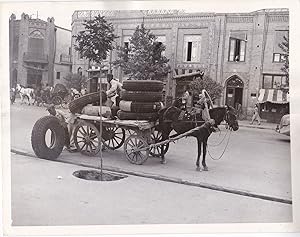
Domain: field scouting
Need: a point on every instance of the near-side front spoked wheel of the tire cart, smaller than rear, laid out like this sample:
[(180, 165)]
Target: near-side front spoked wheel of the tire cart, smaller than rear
[(132, 146)]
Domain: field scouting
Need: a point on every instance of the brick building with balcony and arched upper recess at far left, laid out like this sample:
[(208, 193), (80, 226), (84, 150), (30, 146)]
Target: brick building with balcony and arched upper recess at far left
[(39, 51)]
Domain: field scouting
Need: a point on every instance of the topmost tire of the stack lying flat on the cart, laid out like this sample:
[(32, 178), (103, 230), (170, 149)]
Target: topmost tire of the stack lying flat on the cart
[(143, 85)]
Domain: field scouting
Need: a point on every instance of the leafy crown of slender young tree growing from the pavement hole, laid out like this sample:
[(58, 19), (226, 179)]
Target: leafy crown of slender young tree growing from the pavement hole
[(96, 40)]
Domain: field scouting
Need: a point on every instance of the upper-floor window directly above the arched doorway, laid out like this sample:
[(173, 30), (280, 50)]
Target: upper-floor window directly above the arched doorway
[(237, 48)]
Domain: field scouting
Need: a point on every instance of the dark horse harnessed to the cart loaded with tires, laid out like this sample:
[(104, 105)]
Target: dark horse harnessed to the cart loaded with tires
[(181, 121)]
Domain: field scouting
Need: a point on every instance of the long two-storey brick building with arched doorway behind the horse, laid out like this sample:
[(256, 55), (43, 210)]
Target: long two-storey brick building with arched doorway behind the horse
[(239, 50)]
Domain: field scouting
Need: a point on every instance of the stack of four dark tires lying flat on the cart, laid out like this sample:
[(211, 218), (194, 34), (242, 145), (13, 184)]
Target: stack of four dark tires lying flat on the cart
[(141, 100)]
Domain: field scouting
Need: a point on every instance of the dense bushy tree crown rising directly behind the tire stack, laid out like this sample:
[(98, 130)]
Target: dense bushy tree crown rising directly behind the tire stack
[(142, 58)]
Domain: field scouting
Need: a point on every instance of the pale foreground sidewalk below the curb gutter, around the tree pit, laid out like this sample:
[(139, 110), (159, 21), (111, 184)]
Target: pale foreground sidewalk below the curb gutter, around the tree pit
[(48, 200)]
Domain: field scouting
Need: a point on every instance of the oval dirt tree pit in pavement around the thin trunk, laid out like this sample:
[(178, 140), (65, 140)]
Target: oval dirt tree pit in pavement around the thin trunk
[(96, 175)]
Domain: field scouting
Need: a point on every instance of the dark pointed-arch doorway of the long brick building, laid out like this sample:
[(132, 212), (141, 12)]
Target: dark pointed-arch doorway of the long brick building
[(234, 91)]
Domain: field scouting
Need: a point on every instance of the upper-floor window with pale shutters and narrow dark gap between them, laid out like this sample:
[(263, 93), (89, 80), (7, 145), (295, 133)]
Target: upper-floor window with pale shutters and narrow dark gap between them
[(191, 48)]
